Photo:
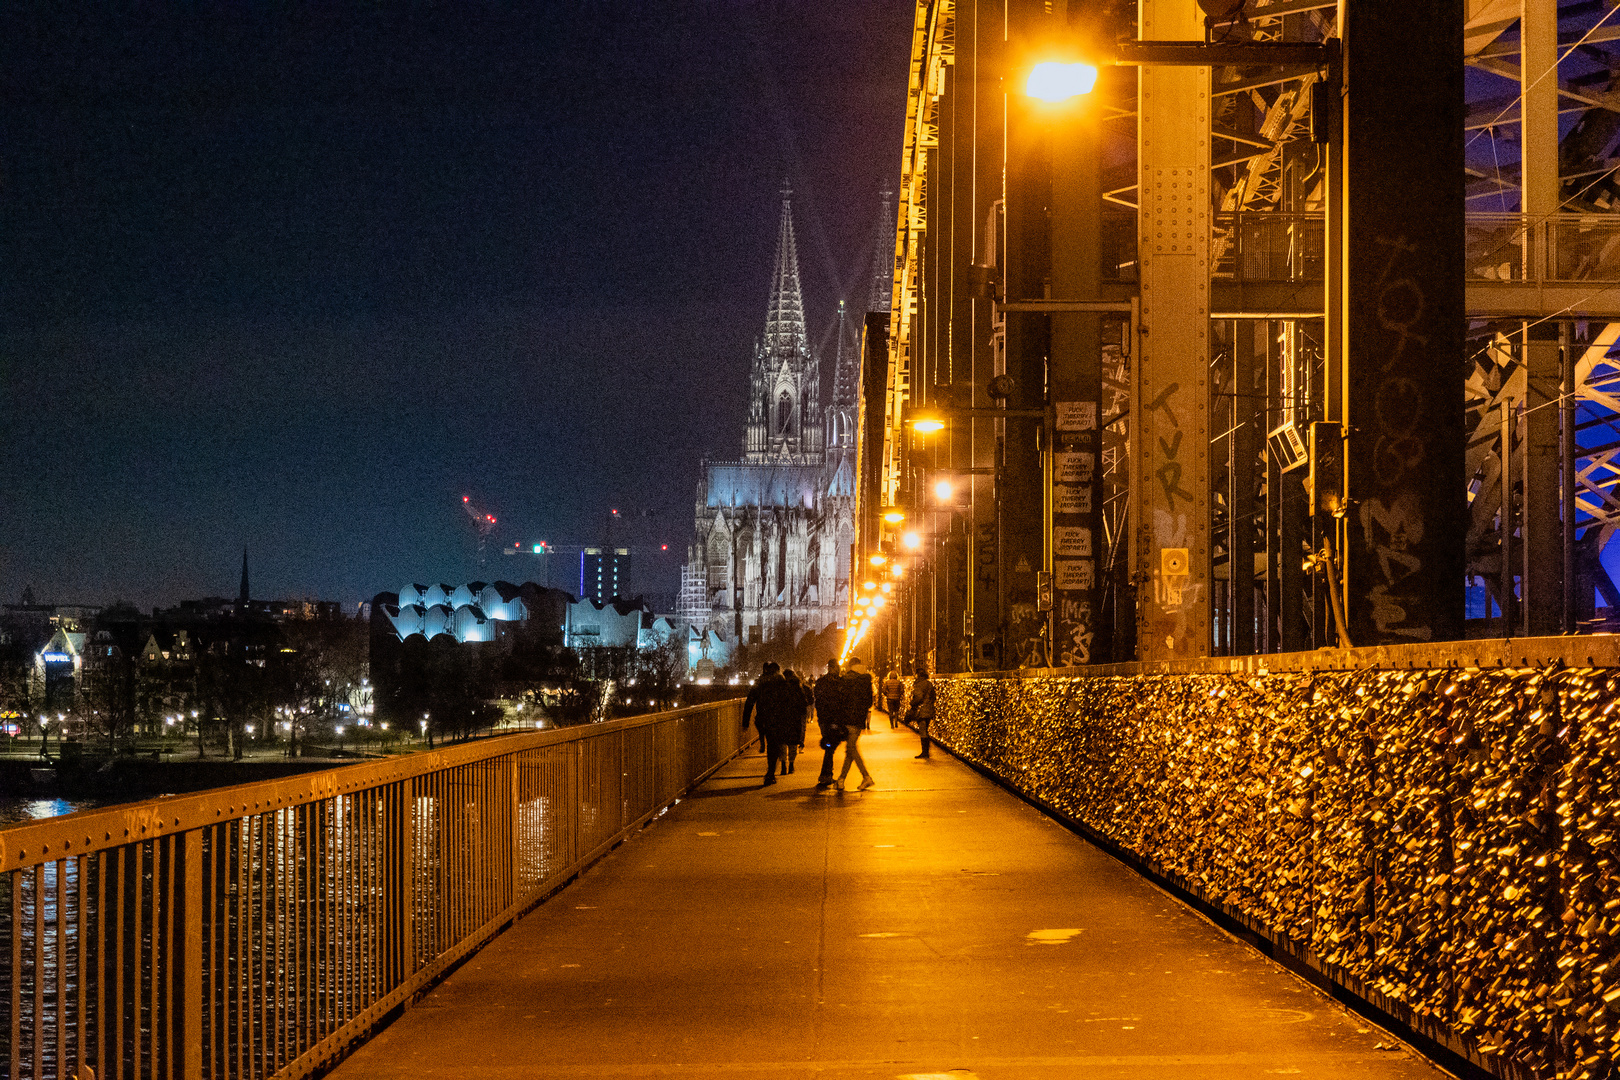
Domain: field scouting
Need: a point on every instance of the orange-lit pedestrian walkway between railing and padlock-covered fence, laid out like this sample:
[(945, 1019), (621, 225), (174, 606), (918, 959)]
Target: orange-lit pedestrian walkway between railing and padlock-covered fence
[(932, 927)]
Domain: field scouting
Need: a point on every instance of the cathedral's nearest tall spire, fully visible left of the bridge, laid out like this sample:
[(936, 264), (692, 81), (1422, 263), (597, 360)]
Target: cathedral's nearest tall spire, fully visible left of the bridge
[(785, 391)]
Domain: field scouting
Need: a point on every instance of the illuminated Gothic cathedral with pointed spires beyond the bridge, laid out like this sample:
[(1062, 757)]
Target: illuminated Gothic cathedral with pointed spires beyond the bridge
[(775, 529)]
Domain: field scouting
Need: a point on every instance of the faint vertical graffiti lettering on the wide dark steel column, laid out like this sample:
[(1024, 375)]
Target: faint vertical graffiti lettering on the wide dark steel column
[(1392, 514)]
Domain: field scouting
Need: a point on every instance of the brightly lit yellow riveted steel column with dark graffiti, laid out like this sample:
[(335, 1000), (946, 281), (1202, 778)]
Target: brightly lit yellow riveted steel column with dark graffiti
[(1170, 459)]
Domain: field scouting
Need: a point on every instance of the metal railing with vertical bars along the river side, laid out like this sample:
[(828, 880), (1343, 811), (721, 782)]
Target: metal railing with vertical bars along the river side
[(263, 930)]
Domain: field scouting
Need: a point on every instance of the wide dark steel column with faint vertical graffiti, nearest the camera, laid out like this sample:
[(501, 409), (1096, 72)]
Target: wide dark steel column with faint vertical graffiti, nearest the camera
[(1404, 318)]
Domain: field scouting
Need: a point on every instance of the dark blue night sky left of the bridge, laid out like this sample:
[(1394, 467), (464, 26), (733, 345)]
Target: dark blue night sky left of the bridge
[(299, 281)]
